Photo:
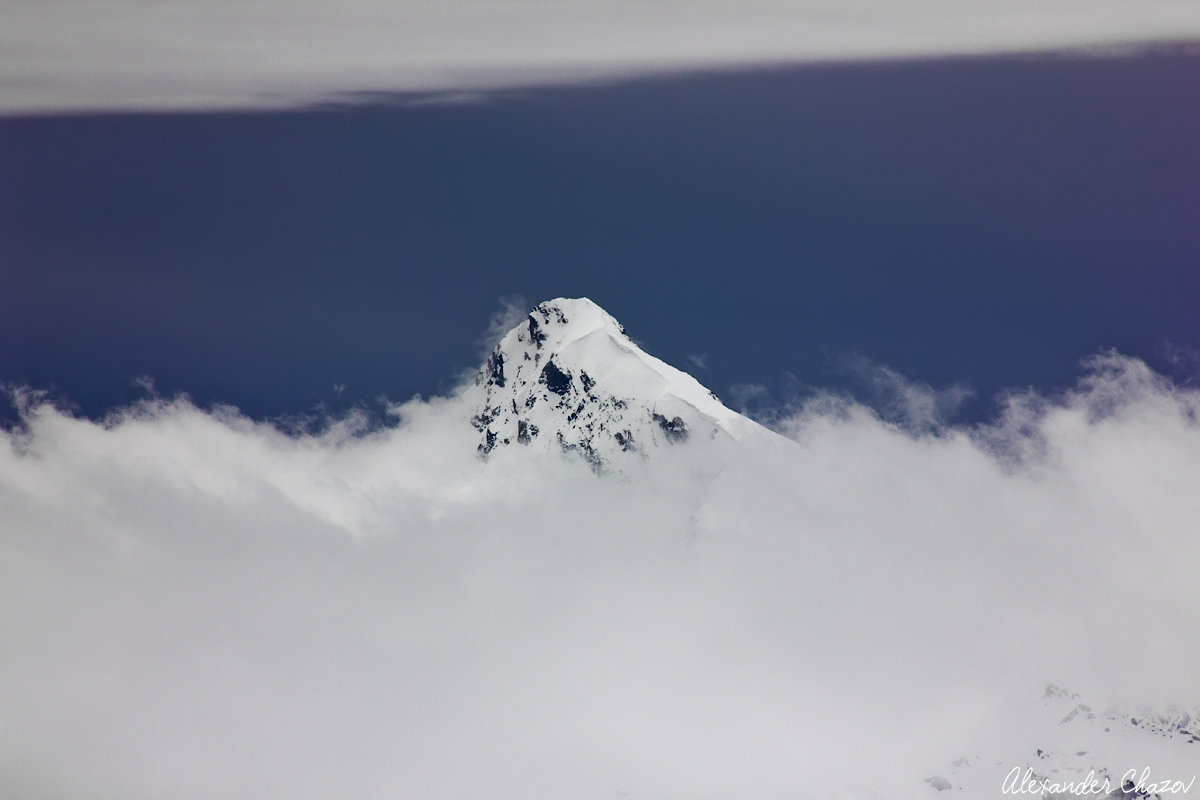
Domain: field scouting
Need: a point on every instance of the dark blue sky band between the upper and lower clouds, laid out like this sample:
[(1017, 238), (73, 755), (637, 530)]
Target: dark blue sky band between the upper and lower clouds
[(981, 221)]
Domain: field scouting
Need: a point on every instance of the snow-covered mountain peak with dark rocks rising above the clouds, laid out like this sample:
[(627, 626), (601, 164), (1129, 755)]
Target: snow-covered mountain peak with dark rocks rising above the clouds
[(569, 378)]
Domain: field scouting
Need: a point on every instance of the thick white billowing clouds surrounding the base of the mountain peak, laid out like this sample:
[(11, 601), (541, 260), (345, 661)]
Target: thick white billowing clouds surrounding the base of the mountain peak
[(196, 605)]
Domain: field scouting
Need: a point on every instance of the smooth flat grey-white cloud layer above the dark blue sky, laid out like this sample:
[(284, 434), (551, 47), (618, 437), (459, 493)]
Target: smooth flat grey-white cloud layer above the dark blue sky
[(59, 56)]
